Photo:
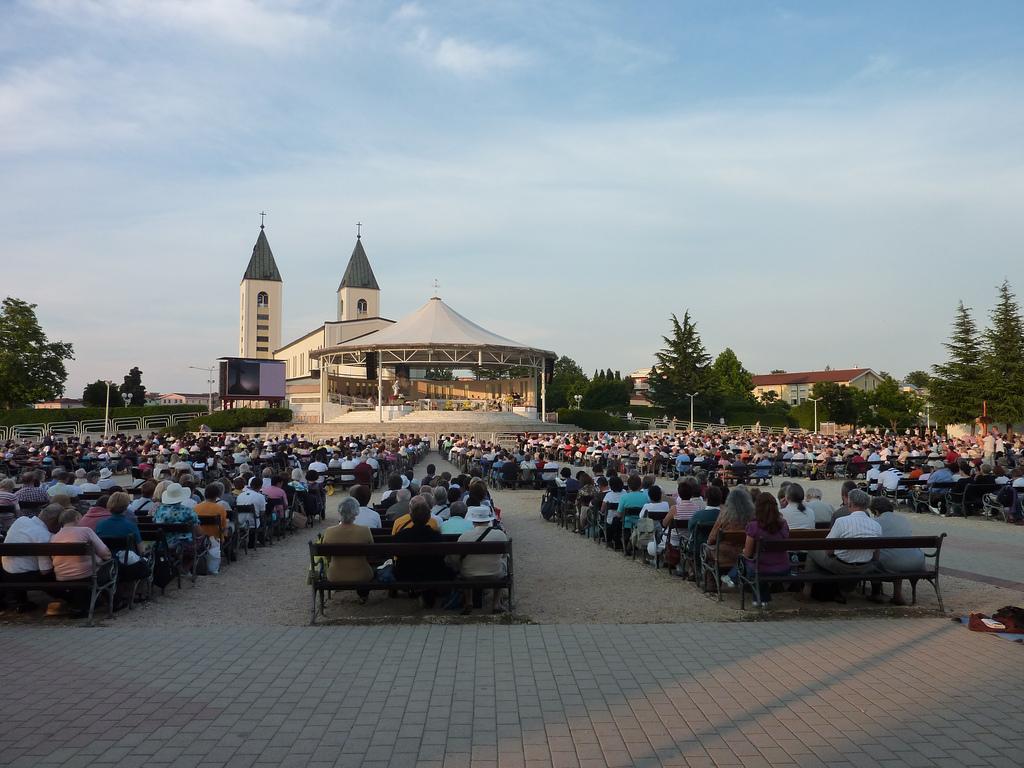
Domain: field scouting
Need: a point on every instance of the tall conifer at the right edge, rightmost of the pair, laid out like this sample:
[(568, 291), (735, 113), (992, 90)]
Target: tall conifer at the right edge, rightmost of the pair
[(1003, 360)]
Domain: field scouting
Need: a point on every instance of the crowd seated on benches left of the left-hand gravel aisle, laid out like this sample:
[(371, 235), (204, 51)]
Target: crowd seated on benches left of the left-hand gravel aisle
[(70, 490)]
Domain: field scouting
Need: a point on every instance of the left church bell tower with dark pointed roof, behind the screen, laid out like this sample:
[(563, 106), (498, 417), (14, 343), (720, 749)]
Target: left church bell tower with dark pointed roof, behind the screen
[(261, 314)]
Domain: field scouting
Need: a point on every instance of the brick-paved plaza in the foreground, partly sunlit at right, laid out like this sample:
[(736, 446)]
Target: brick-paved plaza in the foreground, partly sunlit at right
[(868, 693)]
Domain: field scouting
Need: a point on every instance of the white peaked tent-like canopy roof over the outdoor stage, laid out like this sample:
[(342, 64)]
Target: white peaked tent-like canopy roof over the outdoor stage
[(434, 325)]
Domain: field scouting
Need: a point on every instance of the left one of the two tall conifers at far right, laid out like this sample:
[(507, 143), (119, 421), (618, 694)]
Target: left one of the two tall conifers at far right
[(957, 389)]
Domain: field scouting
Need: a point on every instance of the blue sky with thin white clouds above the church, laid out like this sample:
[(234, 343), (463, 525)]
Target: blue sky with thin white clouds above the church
[(819, 184)]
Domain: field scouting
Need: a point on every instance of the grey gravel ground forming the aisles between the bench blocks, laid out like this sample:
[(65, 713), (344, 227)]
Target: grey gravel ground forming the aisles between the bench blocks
[(561, 578)]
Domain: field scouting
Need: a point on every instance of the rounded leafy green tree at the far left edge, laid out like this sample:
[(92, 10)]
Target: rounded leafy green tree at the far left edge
[(32, 367)]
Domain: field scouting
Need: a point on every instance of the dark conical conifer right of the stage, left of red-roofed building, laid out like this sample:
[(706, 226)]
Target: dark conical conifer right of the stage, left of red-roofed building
[(682, 367)]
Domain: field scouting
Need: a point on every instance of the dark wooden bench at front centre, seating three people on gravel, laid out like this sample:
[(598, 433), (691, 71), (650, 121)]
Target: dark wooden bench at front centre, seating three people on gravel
[(385, 550)]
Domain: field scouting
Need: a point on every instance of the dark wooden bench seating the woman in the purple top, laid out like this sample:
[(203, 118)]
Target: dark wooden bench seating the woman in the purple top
[(750, 576)]
